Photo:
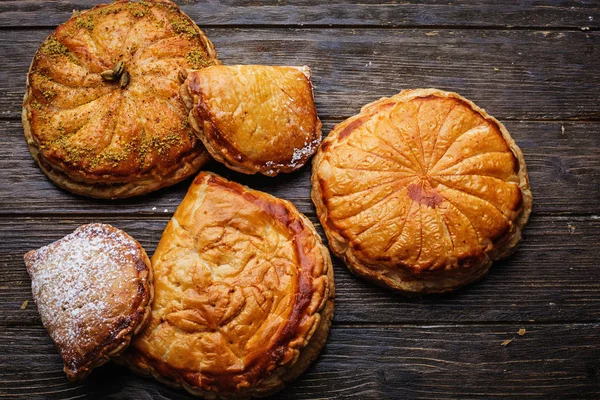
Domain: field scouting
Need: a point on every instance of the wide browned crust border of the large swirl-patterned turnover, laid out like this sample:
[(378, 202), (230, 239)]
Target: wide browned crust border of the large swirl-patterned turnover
[(269, 372)]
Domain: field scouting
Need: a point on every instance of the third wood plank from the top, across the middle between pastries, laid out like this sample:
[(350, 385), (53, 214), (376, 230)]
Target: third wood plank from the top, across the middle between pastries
[(569, 160)]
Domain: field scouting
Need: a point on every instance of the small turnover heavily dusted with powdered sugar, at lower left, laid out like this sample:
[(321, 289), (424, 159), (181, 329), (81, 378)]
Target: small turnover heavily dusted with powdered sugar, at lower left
[(93, 290)]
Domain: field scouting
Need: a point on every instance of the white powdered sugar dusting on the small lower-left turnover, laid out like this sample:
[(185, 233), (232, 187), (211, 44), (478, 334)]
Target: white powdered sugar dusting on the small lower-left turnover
[(78, 283)]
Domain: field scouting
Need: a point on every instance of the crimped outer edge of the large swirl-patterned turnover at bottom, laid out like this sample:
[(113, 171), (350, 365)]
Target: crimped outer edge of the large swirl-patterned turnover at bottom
[(314, 341)]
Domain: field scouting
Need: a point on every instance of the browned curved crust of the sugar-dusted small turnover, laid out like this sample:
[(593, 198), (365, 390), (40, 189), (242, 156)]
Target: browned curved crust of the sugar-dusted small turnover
[(120, 337)]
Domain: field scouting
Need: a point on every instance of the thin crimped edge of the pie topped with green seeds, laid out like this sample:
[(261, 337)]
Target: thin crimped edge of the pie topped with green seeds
[(188, 165)]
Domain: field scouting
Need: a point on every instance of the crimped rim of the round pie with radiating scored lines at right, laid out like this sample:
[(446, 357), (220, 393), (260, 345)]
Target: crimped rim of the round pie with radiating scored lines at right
[(402, 279)]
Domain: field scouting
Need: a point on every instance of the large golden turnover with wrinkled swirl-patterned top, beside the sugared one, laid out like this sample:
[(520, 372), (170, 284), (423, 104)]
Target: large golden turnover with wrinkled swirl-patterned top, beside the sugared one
[(244, 294)]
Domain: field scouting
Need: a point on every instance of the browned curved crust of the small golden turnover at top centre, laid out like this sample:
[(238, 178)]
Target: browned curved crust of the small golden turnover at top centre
[(218, 143)]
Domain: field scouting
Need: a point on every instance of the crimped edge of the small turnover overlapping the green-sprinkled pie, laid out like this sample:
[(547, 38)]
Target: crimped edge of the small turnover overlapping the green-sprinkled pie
[(246, 167)]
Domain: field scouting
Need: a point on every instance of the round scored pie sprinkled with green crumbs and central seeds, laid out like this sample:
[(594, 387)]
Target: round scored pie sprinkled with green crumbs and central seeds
[(102, 113)]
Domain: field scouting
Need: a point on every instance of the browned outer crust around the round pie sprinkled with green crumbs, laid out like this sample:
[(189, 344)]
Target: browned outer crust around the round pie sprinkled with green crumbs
[(116, 183)]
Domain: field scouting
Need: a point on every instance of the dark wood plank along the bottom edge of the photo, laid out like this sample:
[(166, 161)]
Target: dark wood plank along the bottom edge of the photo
[(363, 362)]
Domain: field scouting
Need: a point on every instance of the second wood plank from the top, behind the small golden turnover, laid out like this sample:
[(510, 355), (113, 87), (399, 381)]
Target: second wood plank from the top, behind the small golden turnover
[(514, 74)]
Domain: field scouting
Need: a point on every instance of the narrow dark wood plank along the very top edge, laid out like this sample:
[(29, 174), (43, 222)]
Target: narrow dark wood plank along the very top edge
[(564, 14)]
